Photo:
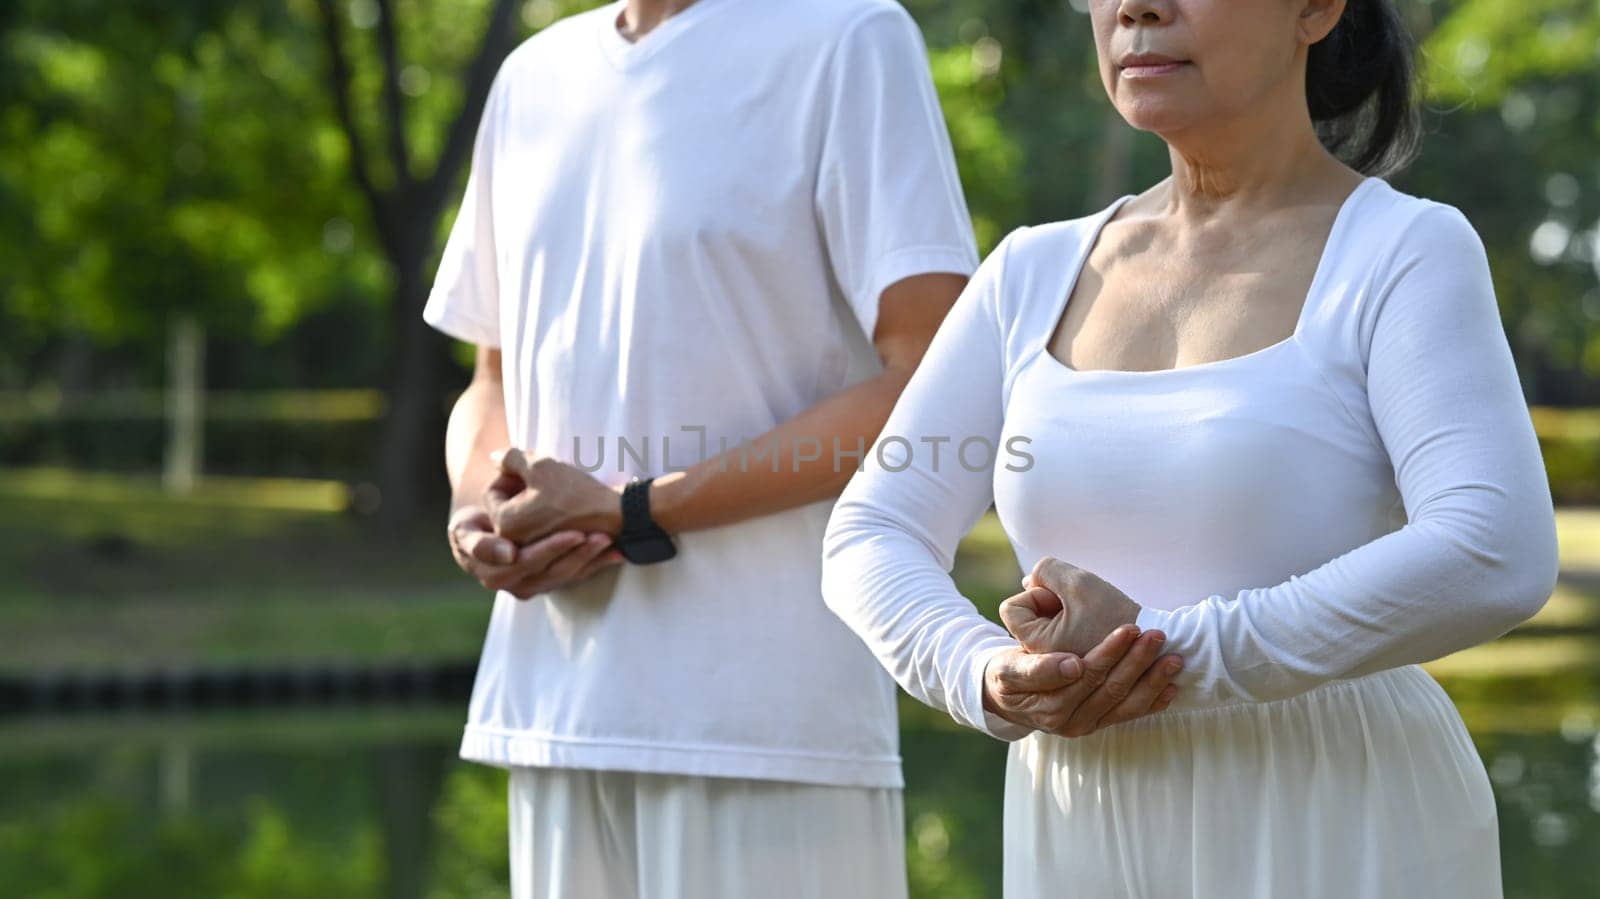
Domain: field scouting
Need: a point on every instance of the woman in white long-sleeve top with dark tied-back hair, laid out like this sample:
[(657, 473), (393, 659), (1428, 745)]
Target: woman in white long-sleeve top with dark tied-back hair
[(1265, 409)]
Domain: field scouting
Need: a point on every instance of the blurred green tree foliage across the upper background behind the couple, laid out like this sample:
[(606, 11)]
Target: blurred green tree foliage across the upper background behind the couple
[(185, 156)]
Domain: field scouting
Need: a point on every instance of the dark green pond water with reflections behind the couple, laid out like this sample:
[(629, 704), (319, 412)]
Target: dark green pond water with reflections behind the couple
[(359, 804)]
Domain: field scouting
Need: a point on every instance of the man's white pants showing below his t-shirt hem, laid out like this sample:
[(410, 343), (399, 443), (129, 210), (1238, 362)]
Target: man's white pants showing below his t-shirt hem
[(623, 836)]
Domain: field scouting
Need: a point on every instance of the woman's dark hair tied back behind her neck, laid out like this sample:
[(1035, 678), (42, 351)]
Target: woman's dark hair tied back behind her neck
[(1362, 92)]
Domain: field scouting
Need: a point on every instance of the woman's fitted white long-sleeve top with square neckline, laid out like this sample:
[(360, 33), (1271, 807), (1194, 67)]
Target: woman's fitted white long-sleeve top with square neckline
[(1362, 495)]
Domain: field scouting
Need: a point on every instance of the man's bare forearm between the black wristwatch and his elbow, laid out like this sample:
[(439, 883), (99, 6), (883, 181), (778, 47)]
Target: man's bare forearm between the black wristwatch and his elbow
[(777, 471)]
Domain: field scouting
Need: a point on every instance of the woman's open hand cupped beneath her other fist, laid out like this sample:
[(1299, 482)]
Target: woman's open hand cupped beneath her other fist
[(1122, 679)]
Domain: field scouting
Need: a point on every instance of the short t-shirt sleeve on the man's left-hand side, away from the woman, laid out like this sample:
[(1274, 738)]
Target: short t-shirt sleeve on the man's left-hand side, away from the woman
[(465, 298)]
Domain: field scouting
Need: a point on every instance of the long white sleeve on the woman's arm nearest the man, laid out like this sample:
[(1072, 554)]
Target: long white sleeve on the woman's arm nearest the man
[(890, 543)]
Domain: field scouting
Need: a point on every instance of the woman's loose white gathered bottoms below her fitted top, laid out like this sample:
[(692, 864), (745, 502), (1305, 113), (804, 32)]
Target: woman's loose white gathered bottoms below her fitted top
[(1366, 788)]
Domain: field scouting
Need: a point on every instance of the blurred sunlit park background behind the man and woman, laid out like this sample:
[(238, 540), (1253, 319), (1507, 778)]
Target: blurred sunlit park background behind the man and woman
[(234, 649)]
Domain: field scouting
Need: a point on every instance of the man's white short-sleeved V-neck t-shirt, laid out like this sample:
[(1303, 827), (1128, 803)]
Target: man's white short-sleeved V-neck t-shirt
[(681, 244)]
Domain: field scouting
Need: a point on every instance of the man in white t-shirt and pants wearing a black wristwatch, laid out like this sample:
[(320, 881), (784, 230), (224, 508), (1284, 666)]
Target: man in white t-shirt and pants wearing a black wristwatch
[(702, 250)]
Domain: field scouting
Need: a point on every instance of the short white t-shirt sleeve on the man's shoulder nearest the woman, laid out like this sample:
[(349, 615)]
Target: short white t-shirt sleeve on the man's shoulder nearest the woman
[(889, 198)]
